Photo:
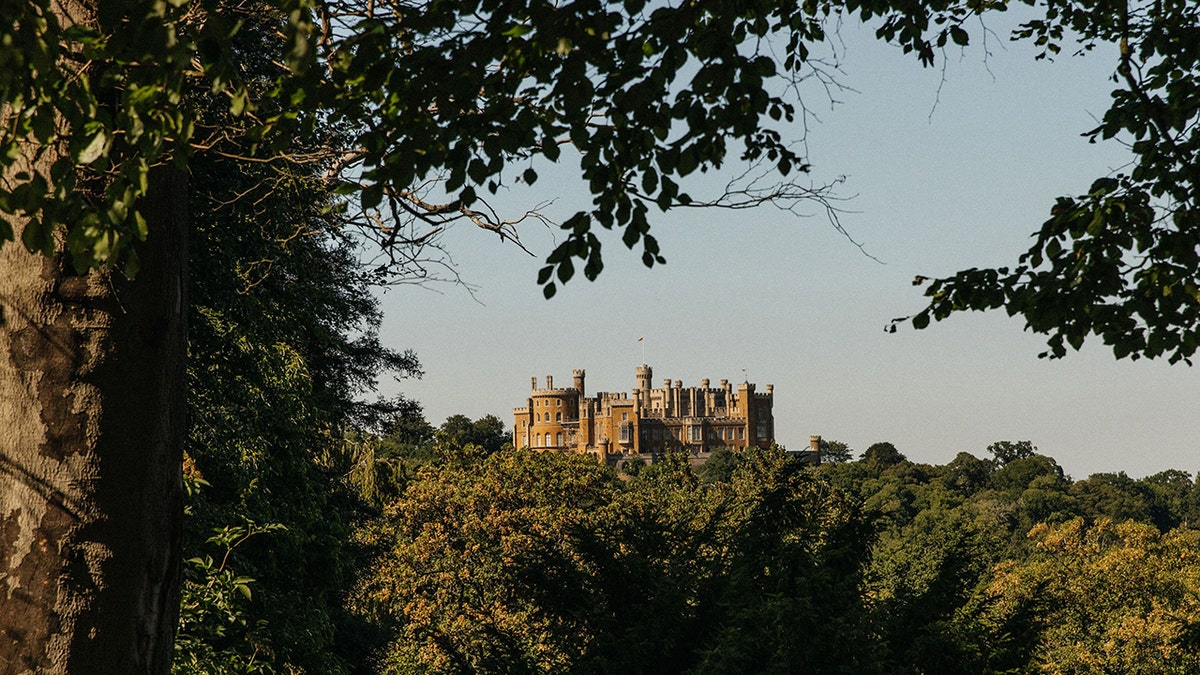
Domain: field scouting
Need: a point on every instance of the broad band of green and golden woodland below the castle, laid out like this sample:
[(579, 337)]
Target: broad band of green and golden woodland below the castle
[(542, 563)]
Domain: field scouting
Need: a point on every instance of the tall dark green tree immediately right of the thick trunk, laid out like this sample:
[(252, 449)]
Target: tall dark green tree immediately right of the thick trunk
[(284, 345)]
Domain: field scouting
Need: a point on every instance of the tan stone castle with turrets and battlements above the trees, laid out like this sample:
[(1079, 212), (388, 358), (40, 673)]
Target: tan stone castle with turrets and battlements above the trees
[(646, 421)]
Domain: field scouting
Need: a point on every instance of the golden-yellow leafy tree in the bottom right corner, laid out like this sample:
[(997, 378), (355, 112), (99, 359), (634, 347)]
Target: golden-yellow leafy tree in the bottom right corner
[(1100, 599)]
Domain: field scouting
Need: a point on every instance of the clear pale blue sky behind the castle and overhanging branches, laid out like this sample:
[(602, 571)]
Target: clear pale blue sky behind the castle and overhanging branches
[(944, 170)]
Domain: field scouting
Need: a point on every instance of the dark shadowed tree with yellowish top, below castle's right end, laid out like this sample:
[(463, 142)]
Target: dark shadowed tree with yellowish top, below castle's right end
[(794, 552)]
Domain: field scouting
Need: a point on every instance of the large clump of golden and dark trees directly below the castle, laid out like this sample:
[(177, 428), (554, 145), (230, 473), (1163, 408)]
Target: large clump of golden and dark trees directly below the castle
[(549, 563)]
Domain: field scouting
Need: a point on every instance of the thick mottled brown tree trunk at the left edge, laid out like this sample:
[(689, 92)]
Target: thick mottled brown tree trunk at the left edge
[(92, 422)]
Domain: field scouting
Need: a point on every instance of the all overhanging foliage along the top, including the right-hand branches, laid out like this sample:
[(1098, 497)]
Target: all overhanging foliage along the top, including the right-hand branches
[(445, 104)]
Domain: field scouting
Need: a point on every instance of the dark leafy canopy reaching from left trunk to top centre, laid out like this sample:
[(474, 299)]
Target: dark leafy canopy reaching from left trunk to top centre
[(452, 100)]
